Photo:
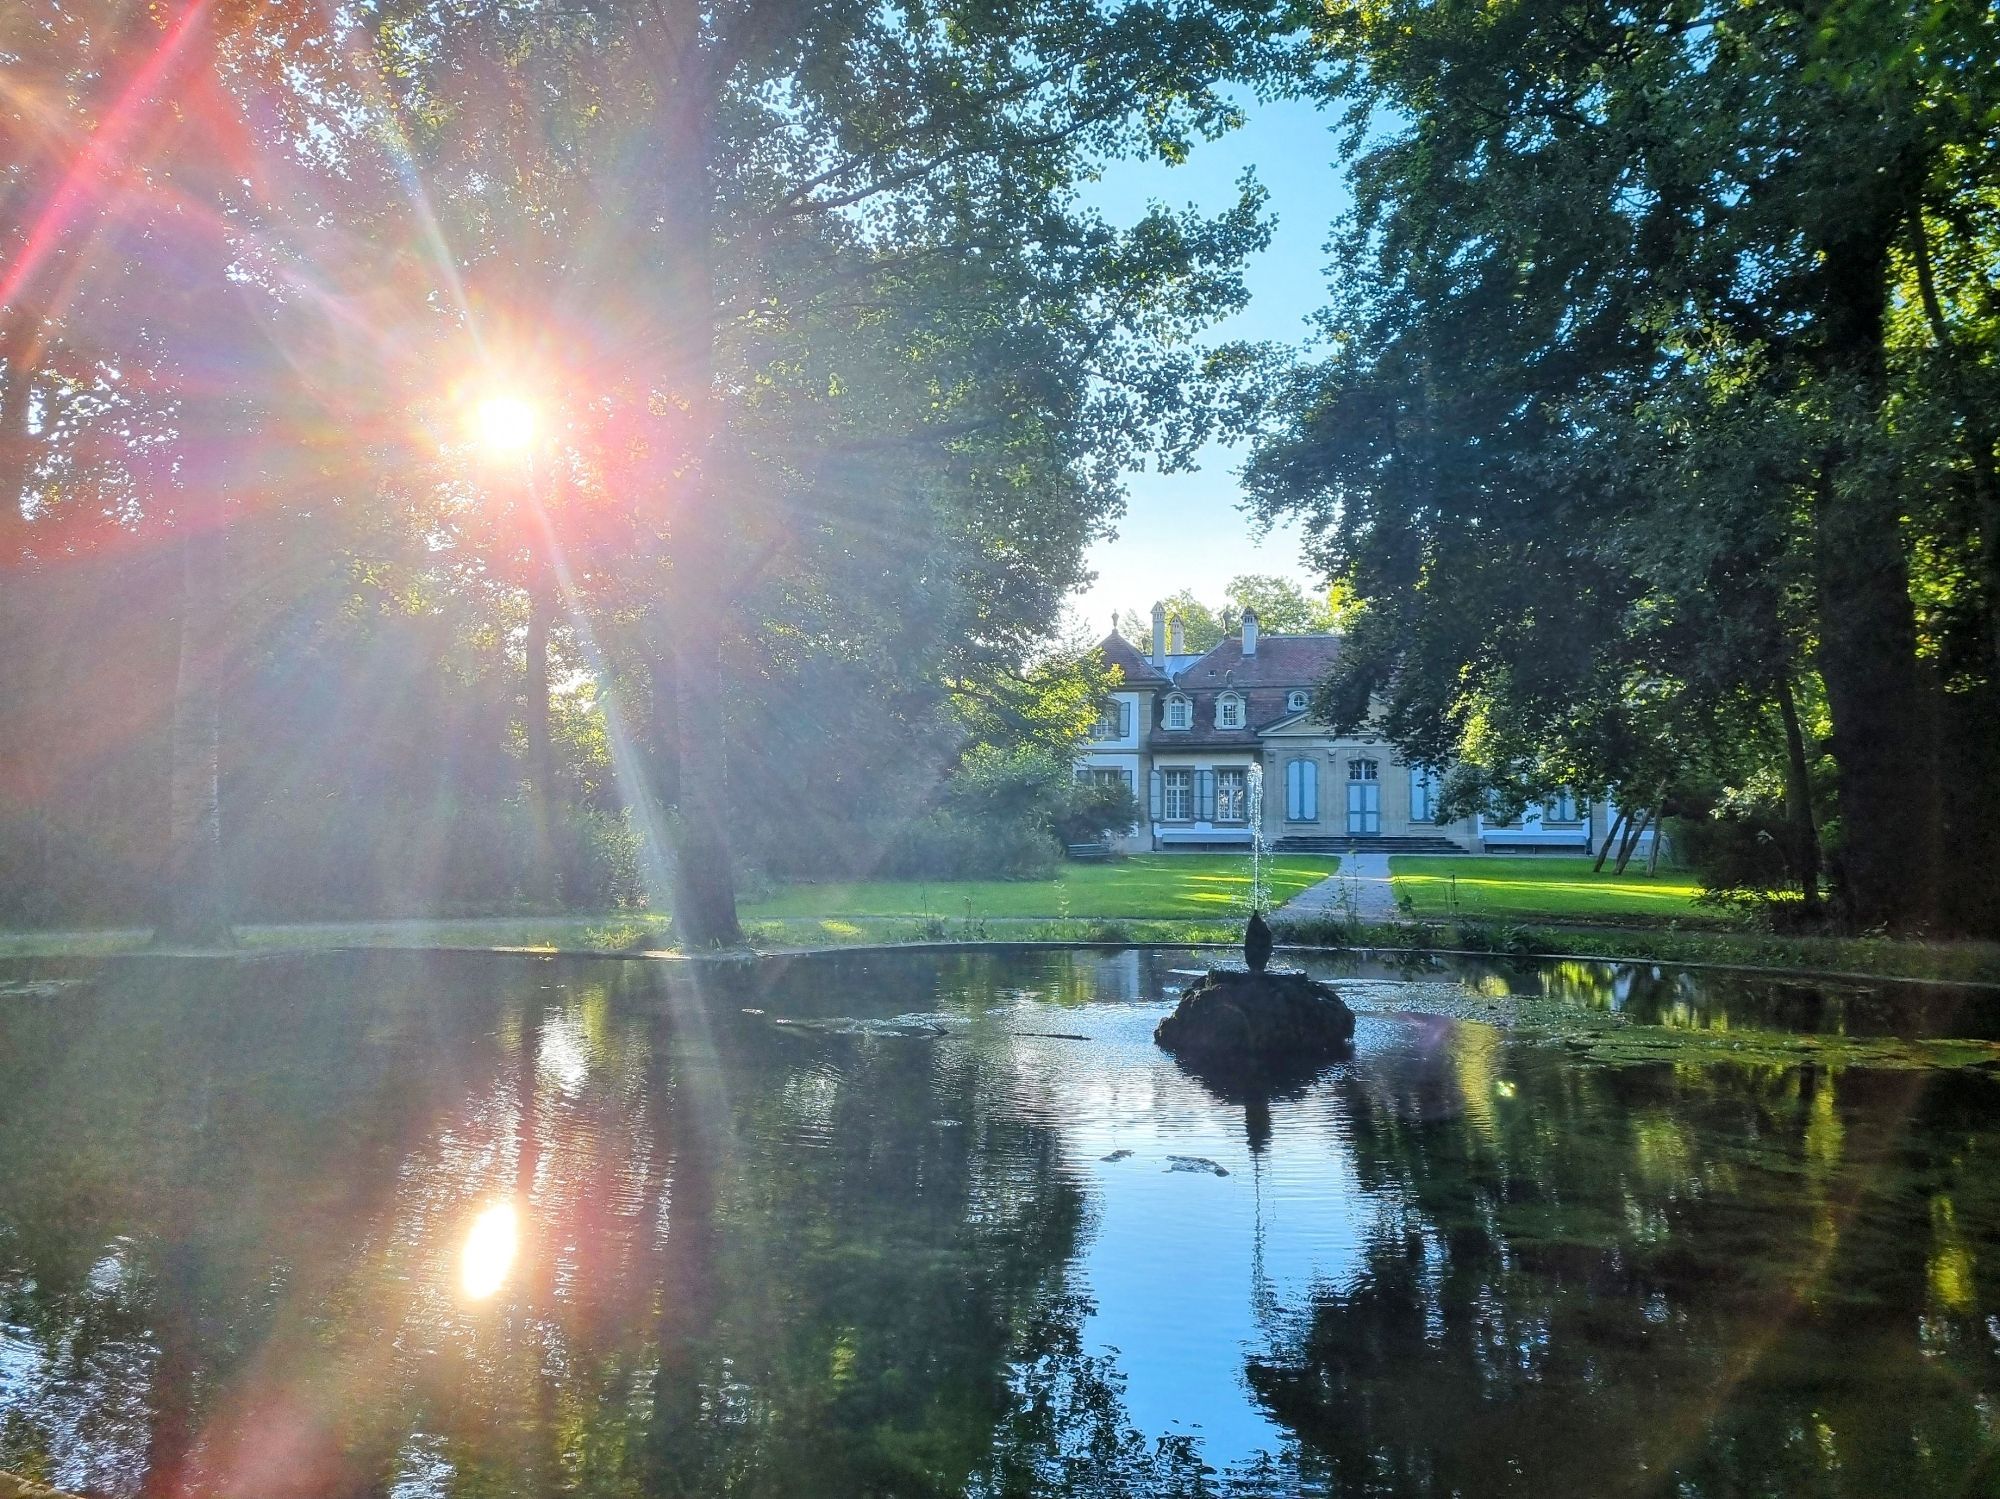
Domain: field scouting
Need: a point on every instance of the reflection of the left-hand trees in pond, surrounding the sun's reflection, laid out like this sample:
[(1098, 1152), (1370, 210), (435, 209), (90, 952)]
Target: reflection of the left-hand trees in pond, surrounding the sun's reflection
[(849, 1282)]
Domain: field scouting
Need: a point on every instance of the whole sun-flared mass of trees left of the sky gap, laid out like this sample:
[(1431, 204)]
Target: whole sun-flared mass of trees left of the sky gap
[(831, 375)]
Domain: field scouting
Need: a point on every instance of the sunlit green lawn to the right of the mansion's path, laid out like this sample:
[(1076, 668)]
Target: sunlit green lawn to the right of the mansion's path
[(1541, 890)]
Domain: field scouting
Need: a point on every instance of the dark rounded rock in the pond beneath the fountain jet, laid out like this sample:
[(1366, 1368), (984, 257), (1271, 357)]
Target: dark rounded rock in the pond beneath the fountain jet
[(1249, 1022)]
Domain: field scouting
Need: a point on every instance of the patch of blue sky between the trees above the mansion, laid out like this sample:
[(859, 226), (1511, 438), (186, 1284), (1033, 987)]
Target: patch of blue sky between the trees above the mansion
[(1185, 531)]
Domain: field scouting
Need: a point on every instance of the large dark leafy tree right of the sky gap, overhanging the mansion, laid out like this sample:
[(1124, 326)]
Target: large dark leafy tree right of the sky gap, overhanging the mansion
[(1609, 241)]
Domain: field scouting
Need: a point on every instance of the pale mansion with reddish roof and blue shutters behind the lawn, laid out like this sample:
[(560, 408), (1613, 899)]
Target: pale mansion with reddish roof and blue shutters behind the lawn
[(1183, 733)]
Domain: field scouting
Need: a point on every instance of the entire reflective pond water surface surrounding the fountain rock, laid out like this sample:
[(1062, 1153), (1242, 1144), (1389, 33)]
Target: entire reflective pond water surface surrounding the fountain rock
[(937, 1224)]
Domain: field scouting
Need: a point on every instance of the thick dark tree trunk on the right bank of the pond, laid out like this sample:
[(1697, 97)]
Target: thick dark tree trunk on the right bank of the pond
[(1883, 725)]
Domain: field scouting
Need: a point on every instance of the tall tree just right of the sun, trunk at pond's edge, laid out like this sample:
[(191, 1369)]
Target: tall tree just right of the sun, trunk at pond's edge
[(751, 187)]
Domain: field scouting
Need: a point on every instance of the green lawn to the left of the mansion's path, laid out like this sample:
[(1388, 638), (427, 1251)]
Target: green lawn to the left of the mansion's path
[(1141, 886)]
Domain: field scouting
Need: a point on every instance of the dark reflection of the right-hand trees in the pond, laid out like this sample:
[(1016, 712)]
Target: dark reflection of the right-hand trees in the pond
[(1681, 1282)]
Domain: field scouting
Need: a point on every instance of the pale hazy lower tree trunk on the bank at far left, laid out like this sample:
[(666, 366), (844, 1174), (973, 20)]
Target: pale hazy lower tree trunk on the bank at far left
[(195, 910)]
